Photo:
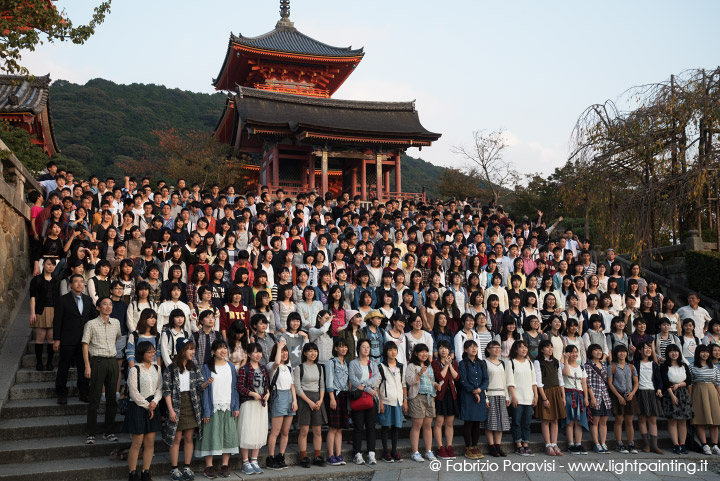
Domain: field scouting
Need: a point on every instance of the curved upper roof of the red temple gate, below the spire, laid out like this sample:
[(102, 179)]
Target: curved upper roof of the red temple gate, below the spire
[(286, 39)]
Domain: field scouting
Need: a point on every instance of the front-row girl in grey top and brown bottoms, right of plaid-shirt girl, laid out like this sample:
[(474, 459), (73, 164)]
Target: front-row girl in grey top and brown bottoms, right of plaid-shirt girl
[(623, 385)]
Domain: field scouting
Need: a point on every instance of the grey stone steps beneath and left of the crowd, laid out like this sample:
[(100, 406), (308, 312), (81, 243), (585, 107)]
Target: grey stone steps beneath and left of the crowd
[(40, 437)]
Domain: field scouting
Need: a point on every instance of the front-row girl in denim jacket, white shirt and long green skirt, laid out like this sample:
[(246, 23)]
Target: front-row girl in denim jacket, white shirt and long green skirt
[(221, 408)]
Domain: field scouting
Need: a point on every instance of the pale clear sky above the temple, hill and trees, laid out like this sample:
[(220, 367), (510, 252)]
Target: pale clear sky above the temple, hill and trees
[(527, 67)]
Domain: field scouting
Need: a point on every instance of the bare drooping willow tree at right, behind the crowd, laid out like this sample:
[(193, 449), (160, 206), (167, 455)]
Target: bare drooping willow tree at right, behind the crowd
[(656, 159)]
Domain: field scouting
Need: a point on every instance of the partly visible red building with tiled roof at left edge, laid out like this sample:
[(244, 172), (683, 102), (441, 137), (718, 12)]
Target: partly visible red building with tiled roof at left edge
[(25, 97)]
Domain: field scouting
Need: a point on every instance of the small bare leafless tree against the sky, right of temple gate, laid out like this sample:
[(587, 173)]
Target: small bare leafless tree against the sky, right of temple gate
[(486, 154)]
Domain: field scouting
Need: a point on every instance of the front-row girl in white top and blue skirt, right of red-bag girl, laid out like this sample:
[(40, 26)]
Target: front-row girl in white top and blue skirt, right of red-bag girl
[(393, 400)]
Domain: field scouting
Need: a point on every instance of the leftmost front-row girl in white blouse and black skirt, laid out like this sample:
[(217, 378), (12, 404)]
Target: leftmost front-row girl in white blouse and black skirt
[(142, 421)]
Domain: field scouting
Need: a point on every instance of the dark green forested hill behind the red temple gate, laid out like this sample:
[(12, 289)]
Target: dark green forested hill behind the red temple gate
[(102, 123)]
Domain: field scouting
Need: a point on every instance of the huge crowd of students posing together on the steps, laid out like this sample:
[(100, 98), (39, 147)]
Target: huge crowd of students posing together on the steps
[(232, 318)]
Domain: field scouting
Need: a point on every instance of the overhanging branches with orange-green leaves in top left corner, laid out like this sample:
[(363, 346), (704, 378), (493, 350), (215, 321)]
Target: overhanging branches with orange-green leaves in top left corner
[(23, 21)]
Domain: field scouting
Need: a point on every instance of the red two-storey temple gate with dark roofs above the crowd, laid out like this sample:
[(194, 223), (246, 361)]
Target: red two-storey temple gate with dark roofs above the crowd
[(280, 118)]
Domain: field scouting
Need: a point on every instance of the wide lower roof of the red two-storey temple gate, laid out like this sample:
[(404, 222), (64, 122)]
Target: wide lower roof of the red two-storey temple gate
[(331, 120)]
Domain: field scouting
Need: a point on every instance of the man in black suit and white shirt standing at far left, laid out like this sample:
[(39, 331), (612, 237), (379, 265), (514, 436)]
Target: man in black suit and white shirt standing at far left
[(73, 310)]
